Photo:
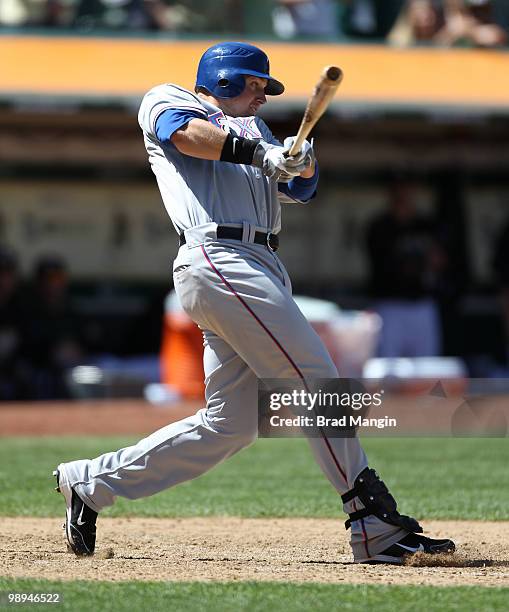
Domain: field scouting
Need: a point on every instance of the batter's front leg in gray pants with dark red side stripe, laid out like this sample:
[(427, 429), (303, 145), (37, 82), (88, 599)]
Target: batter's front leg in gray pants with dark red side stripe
[(251, 307)]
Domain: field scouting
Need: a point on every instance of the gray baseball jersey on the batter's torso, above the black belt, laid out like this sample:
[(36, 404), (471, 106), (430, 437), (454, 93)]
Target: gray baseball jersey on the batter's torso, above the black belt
[(198, 191)]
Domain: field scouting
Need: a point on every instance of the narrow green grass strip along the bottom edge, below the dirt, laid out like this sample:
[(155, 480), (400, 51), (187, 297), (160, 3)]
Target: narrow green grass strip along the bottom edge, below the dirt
[(258, 596)]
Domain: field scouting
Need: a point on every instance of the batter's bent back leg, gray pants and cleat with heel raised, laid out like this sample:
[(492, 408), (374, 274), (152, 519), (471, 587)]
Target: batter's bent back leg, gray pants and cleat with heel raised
[(176, 453)]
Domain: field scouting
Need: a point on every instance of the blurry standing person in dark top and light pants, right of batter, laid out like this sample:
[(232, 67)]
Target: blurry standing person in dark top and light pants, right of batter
[(405, 260)]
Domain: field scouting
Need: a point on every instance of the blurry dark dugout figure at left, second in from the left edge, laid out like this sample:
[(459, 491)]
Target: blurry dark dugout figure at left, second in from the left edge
[(52, 334)]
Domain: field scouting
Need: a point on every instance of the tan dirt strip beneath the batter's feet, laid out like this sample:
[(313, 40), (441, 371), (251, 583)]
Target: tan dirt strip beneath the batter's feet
[(228, 549)]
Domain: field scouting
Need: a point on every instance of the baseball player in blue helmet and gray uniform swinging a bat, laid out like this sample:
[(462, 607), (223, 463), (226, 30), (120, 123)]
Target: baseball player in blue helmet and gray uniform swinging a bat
[(222, 177)]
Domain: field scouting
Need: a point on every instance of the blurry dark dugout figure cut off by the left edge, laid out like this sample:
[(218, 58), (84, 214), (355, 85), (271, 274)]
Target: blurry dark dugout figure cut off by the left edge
[(12, 372)]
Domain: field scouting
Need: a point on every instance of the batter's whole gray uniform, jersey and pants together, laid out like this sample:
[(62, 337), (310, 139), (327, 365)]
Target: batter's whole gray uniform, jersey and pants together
[(239, 294)]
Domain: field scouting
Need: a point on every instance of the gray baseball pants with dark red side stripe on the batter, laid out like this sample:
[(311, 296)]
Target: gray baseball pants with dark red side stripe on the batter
[(240, 295)]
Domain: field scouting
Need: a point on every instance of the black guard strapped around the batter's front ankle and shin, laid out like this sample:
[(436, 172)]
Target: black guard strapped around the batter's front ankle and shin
[(377, 501)]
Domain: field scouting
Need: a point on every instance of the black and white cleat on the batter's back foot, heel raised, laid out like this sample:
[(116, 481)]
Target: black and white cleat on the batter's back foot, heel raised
[(79, 518)]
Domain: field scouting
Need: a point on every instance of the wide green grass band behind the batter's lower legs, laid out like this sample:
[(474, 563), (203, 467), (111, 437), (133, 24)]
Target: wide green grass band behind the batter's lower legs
[(431, 478)]
